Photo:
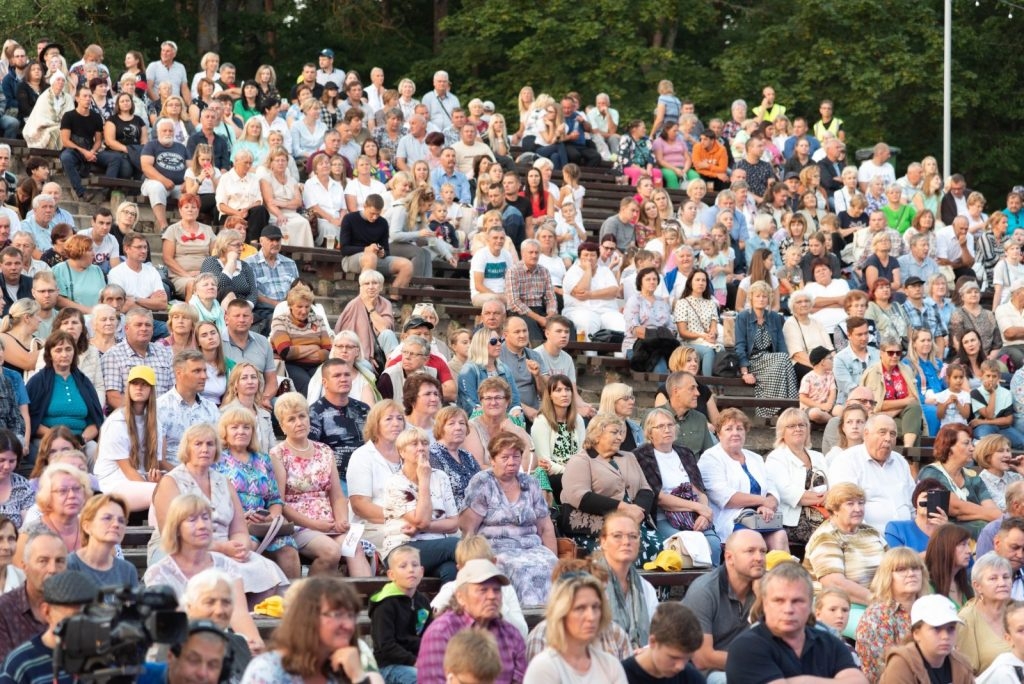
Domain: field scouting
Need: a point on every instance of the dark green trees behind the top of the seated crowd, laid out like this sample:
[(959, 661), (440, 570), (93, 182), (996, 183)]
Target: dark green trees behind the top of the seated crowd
[(880, 61)]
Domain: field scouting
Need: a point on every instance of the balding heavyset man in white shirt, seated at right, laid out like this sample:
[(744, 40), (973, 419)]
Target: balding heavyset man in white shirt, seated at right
[(881, 473)]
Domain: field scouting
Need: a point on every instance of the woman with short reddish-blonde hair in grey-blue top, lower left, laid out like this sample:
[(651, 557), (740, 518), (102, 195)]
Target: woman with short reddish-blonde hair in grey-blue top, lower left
[(104, 522)]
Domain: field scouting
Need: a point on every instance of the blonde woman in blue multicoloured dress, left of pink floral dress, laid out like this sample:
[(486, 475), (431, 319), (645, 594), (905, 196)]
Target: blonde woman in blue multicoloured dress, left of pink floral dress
[(251, 474)]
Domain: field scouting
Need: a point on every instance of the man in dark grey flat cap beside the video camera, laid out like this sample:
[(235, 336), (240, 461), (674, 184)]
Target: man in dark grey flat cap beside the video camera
[(65, 595)]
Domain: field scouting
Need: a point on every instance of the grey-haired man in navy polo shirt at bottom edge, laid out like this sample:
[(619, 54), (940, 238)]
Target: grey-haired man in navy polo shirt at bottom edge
[(783, 647)]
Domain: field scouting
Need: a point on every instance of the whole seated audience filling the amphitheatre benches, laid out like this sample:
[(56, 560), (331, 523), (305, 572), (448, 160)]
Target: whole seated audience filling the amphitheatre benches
[(470, 455)]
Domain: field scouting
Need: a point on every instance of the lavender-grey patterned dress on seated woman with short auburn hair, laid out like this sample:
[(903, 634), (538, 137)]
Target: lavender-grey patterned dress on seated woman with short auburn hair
[(513, 530)]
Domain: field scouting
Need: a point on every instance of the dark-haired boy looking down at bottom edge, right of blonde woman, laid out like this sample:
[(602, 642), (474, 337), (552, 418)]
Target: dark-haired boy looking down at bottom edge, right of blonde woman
[(675, 635)]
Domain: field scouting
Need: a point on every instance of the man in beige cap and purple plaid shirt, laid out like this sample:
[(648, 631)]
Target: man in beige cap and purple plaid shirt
[(479, 606)]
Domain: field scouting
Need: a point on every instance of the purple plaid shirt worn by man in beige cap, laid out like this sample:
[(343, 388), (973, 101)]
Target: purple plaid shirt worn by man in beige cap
[(431, 664)]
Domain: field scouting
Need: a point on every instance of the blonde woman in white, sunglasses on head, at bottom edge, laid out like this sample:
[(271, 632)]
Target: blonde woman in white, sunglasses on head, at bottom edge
[(573, 650)]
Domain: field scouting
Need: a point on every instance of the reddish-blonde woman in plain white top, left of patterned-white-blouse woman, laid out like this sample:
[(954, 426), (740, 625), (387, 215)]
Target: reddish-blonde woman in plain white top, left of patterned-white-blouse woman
[(372, 465)]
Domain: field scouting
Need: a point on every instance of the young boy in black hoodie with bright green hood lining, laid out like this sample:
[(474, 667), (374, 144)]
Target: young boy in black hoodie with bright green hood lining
[(399, 615)]
